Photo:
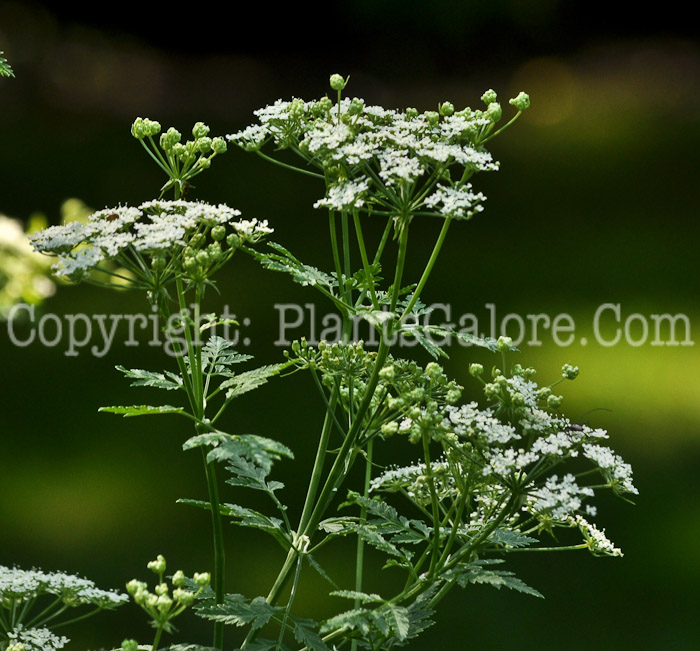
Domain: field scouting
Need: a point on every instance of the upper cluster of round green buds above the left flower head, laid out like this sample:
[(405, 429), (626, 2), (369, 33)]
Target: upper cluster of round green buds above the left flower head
[(181, 161)]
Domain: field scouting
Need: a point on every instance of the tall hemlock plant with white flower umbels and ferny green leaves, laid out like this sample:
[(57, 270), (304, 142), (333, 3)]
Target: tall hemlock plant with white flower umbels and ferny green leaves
[(510, 475)]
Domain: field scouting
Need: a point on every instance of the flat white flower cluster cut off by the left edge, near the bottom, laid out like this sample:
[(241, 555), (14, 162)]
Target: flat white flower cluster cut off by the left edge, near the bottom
[(20, 585)]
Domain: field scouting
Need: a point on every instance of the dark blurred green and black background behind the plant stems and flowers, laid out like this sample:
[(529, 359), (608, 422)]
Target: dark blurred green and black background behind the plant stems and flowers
[(596, 202)]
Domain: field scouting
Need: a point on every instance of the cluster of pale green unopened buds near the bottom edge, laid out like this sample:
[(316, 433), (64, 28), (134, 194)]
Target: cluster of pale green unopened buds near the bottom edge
[(161, 605)]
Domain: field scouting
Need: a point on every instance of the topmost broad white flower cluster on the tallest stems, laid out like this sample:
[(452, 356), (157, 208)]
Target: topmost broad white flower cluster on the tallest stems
[(389, 155)]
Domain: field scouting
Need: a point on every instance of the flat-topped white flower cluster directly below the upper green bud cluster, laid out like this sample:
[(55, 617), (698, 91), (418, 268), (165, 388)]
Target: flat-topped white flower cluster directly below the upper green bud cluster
[(155, 228)]
